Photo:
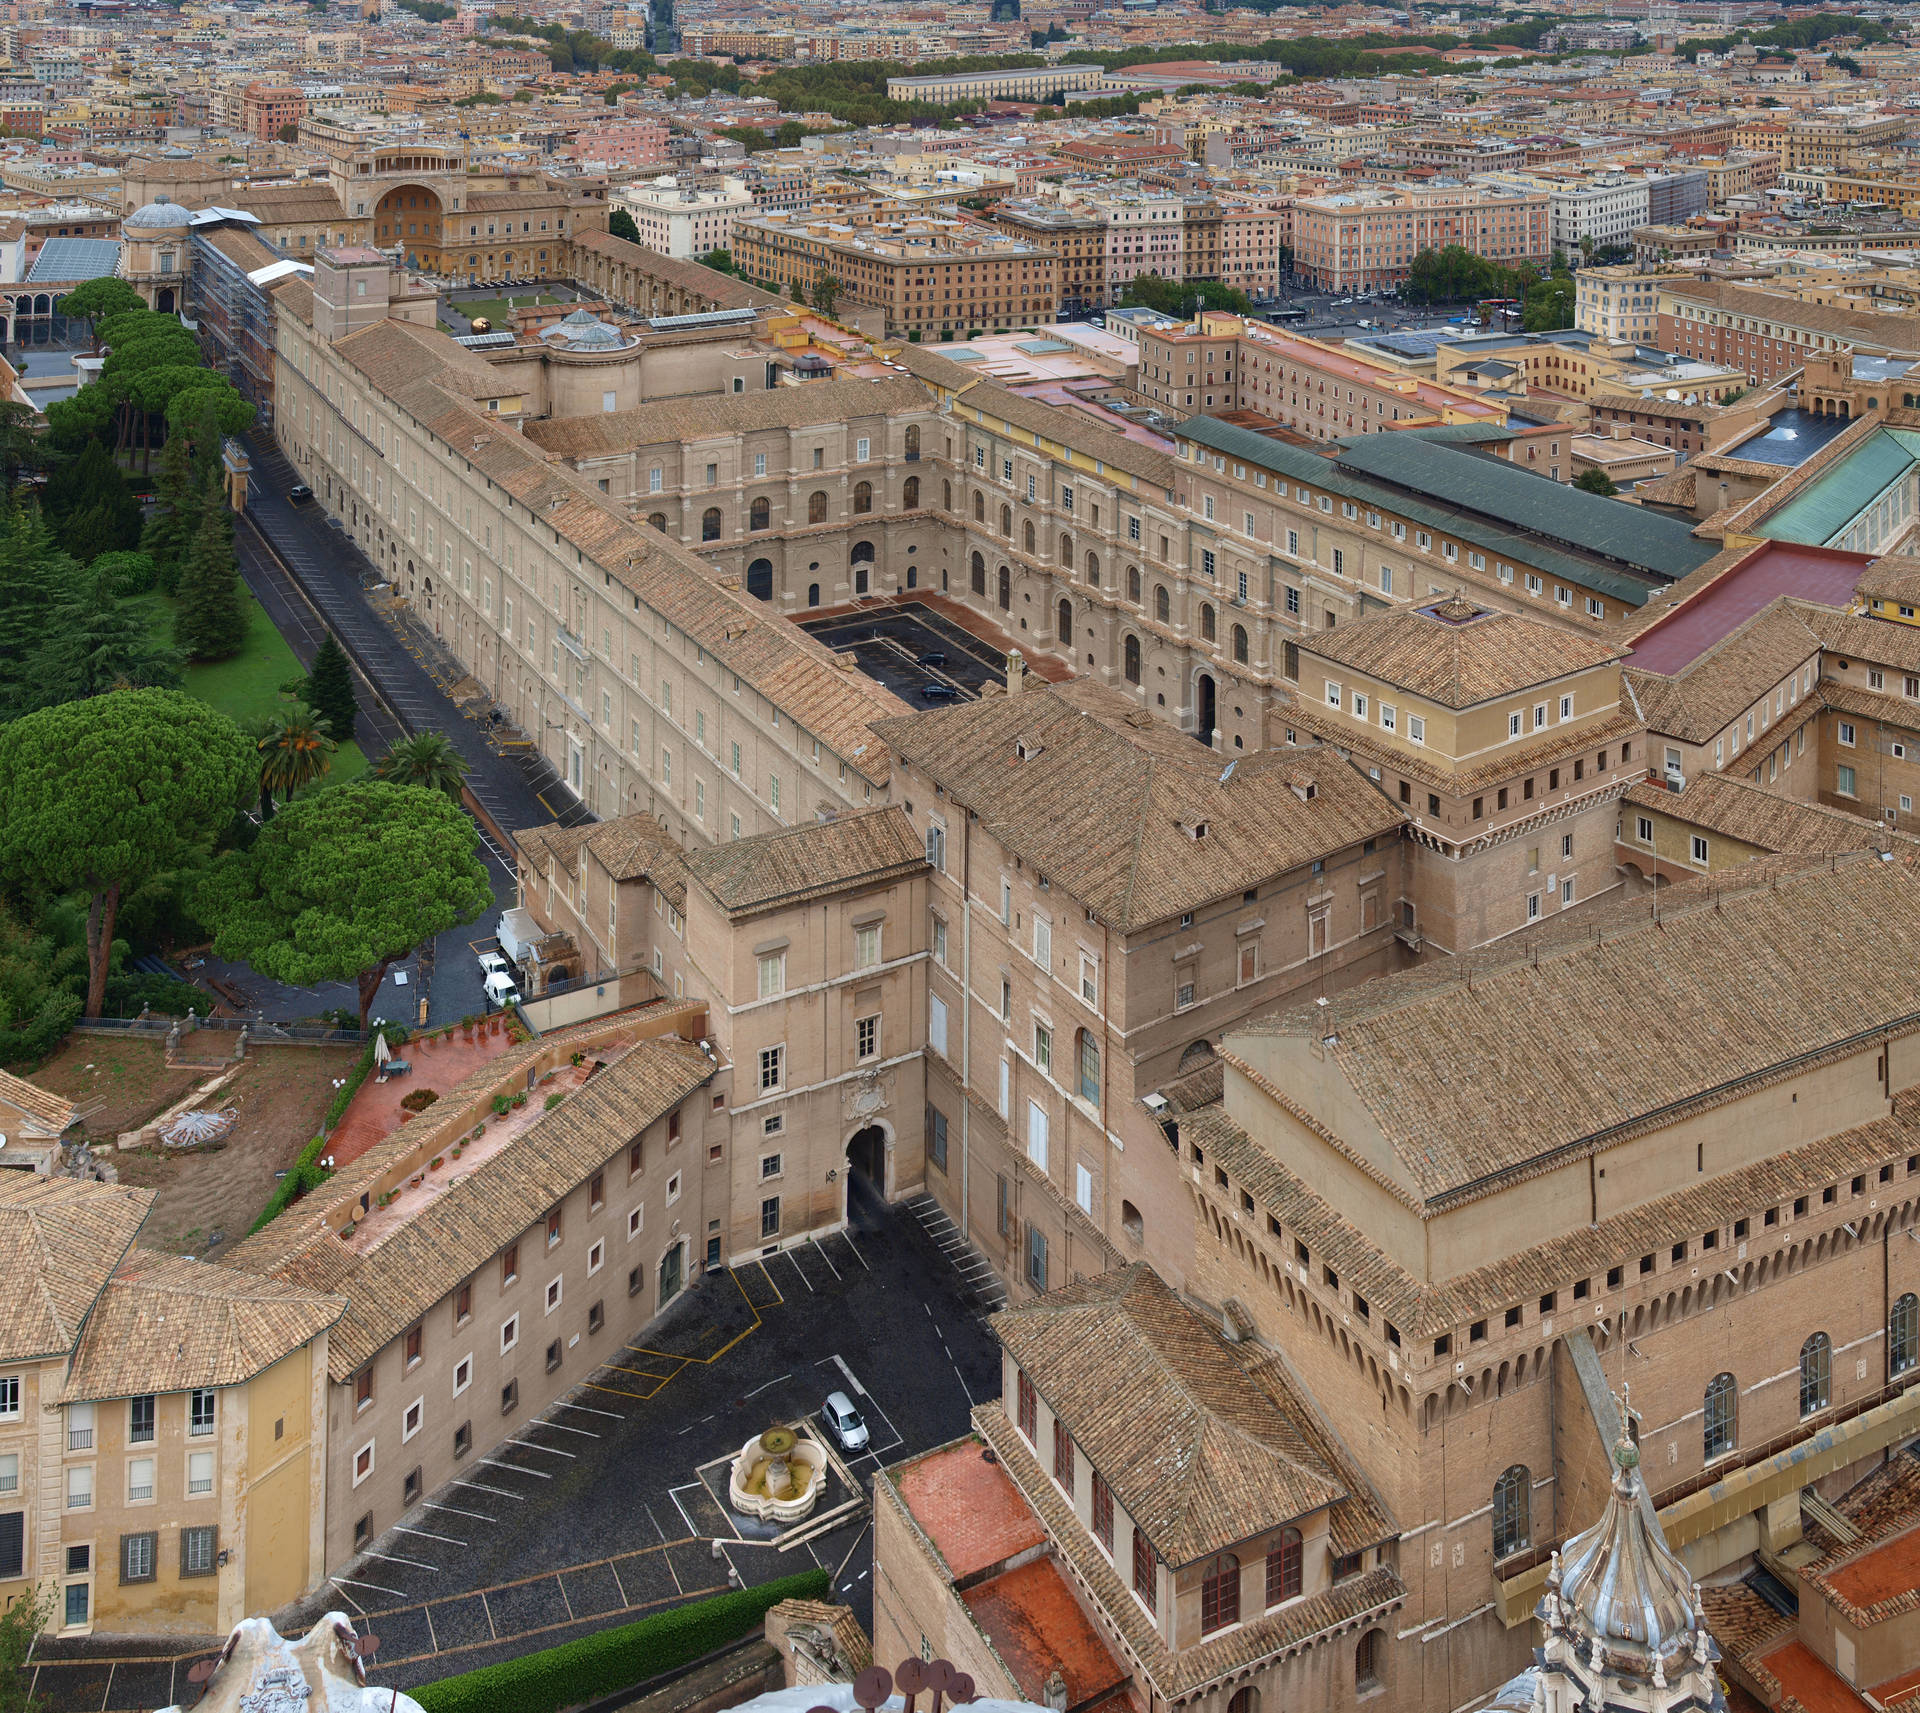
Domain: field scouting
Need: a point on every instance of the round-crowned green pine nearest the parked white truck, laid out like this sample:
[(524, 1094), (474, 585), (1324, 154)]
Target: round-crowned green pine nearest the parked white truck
[(345, 884)]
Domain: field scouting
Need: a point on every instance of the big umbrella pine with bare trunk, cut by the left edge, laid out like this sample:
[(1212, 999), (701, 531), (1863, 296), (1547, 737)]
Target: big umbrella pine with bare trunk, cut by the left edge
[(99, 796)]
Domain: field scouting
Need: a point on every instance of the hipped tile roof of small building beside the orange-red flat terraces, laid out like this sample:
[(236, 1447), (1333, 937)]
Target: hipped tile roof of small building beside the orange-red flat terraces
[(1197, 1455)]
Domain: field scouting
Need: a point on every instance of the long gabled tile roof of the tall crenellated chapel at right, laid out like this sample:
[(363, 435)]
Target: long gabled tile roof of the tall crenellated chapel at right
[(1646, 1017)]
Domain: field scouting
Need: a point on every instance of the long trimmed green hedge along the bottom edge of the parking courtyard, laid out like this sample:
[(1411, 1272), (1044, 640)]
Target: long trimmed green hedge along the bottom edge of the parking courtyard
[(615, 1660)]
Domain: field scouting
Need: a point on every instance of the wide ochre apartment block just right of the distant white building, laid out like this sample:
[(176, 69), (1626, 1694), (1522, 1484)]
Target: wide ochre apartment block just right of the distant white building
[(930, 277)]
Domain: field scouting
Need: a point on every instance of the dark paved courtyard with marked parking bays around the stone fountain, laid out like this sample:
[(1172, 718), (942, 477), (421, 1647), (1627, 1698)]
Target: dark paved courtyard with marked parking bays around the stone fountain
[(613, 1503)]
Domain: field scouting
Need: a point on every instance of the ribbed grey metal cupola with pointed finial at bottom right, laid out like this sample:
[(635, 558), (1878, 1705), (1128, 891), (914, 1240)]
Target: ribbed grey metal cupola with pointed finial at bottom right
[(1623, 1589)]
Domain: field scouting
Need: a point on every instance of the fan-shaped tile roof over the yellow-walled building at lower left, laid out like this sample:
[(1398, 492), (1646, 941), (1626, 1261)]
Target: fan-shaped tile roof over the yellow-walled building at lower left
[(168, 1324)]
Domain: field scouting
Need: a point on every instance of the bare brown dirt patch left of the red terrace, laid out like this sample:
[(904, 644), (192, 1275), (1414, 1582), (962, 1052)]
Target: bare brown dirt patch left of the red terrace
[(279, 1098)]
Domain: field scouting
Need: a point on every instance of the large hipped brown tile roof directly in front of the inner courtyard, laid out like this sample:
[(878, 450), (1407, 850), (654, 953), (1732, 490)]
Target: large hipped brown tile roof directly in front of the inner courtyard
[(1132, 819)]
